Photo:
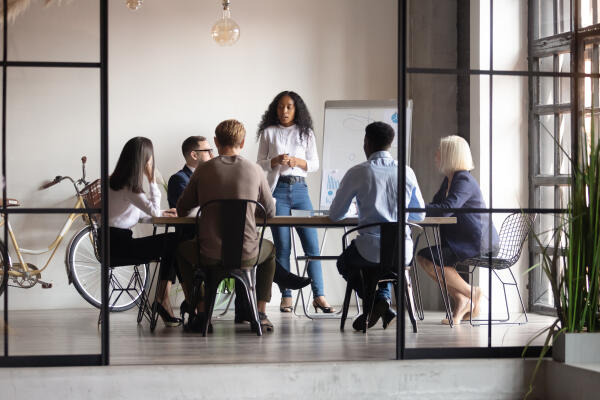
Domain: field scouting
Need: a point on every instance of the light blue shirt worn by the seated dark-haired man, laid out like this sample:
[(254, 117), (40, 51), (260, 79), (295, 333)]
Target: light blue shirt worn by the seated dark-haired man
[(374, 184)]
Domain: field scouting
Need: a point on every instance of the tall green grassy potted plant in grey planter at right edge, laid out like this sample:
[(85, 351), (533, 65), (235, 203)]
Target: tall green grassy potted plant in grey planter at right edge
[(572, 265)]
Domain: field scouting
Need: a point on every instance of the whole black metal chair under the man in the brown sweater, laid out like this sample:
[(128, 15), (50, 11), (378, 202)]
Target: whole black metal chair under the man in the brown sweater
[(232, 221)]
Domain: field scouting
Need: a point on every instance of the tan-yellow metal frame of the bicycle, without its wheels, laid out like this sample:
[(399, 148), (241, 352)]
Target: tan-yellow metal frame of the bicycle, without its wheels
[(53, 247)]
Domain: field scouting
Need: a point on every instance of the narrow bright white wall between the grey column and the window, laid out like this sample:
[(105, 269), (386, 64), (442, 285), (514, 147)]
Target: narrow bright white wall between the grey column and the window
[(509, 123)]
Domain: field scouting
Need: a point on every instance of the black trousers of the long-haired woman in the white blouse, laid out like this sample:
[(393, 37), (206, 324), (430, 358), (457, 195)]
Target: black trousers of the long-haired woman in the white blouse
[(146, 249)]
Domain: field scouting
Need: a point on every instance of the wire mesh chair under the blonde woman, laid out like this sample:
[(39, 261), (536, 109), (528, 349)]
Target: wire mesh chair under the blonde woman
[(513, 232)]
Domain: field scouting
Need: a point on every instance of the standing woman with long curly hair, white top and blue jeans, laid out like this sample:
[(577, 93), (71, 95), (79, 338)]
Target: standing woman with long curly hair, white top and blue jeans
[(287, 151)]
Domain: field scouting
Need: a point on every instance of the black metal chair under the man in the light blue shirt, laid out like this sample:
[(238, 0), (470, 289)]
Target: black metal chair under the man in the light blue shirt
[(384, 272)]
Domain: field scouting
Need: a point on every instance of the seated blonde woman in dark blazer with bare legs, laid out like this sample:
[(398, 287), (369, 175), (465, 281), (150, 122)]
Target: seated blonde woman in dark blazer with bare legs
[(469, 237)]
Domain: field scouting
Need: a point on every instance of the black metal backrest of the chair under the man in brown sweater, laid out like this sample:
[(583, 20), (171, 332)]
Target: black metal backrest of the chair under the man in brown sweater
[(231, 226)]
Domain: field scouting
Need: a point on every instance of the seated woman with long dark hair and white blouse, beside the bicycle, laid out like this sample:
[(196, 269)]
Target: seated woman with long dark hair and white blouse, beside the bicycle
[(127, 204)]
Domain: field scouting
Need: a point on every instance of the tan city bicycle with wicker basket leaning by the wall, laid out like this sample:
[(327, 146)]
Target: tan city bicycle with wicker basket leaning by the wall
[(82, 258)]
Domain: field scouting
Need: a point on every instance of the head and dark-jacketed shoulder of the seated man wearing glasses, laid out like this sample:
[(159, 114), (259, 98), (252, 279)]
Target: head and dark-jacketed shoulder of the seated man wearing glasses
[(196, 150)]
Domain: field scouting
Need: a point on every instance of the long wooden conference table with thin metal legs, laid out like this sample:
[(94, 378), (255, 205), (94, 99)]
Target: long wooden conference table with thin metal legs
[(323, 221)]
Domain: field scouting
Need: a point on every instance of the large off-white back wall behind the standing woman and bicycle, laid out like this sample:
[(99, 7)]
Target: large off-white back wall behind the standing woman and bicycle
[(168, 80)]
